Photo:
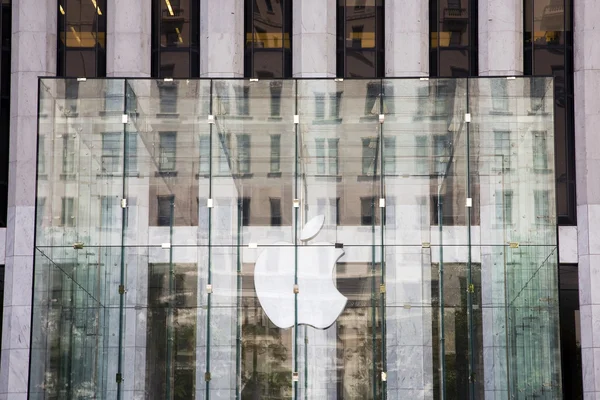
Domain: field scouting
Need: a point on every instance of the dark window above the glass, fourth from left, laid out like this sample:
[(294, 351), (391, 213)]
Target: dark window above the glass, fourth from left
[(360, 39)]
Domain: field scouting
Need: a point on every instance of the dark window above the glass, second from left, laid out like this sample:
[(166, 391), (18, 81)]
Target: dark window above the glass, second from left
[(175, 38)]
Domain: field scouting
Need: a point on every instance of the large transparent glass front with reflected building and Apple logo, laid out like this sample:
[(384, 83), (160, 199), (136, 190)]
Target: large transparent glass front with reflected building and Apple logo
[(358, 239)]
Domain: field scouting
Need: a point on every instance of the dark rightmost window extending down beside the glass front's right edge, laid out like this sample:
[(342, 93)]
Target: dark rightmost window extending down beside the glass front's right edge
[(548, 51)]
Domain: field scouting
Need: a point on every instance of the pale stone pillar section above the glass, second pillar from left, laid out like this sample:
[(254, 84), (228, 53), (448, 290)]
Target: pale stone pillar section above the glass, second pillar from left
[(128, 38)]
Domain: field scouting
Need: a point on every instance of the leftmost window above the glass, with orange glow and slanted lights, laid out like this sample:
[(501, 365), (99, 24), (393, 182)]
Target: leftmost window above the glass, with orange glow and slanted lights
[(81, 38)]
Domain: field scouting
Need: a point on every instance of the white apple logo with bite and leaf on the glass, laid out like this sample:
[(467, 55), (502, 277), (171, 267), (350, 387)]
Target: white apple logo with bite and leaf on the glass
[(319, 301)]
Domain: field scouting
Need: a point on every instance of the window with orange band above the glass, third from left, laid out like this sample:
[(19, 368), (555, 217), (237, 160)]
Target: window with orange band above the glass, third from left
[(268, 44)]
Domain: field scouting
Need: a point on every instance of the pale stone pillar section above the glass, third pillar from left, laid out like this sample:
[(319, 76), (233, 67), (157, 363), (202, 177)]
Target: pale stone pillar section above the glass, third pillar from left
[(221, 38)]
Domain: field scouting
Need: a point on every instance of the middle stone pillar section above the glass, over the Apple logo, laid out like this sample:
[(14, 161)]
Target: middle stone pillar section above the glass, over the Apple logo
[(314, 38)]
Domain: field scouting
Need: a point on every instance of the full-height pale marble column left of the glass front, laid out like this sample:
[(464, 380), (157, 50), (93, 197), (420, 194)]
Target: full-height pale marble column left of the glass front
[(33, 55)]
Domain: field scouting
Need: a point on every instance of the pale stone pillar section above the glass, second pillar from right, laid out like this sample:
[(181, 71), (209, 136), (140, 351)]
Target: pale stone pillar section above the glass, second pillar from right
[(500, 37)]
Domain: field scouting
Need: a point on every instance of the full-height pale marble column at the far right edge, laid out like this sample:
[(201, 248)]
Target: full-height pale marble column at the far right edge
[(587, 152)]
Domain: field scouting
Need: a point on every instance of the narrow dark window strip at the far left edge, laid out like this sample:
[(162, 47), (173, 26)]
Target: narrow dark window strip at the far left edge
[(5, 55)]
